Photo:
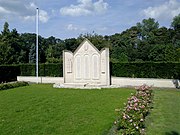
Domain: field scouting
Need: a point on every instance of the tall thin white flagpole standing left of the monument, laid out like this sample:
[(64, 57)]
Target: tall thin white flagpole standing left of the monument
[(37, 19)]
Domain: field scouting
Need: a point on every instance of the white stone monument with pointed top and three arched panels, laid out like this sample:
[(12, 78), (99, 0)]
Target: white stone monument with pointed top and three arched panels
[(87, 66)]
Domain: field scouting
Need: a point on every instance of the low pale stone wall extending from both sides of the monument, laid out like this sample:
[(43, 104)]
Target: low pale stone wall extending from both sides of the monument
[(118, 81)]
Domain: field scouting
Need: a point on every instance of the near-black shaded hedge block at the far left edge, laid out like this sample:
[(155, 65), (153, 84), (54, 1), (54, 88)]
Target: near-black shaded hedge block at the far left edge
[(9, 73)]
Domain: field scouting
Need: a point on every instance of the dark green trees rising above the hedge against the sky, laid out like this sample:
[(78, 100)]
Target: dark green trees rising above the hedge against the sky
[(145, 41)]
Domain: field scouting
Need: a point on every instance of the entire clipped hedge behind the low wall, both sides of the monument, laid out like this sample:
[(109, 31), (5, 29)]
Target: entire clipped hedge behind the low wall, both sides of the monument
[(136, 70)]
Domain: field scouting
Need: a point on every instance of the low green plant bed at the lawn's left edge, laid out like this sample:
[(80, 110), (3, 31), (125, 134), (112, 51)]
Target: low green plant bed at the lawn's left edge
[(5, 86)]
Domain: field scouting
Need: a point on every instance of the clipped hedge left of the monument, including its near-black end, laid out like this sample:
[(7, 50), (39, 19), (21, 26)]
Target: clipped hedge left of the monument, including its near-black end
[(9, 73)]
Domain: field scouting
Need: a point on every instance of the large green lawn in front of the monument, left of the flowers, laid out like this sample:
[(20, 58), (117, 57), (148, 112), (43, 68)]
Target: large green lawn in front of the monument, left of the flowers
[(43, 110)]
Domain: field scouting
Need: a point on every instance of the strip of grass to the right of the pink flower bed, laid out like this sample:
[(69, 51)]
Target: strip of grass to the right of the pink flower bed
[(164, 119)]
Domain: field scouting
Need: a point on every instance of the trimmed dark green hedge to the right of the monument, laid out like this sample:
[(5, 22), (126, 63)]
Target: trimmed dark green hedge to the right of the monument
[(146, 70)]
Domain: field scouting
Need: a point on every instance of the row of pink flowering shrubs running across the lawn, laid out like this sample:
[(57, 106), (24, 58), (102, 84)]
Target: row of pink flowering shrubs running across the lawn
[(131, 120)]
